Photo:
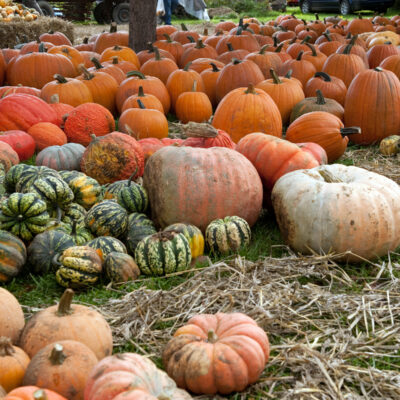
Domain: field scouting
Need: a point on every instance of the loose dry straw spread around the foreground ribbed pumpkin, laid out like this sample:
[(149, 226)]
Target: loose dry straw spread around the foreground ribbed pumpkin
[(323, 332)]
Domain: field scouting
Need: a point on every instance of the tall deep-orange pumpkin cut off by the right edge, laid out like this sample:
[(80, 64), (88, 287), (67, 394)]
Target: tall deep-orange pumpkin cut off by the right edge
[(378, 114)]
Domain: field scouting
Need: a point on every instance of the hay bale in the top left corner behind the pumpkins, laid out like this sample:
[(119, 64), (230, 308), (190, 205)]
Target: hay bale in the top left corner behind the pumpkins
[(13, 33)]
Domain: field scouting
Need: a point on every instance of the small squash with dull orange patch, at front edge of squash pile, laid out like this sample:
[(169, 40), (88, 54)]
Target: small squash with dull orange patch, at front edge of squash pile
[(121, 267)]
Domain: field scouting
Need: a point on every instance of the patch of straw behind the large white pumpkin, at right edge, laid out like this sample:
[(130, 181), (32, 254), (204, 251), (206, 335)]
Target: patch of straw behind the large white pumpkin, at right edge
[(370, 158)]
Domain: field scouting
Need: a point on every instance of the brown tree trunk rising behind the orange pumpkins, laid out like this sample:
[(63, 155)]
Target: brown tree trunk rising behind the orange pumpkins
[(142, 23)]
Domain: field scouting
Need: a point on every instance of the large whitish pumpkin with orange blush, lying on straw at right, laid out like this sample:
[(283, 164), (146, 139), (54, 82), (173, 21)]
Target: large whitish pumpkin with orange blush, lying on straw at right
[(334, 208)]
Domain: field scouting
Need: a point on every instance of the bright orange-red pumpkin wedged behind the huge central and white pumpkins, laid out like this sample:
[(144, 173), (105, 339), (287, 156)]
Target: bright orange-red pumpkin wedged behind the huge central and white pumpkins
[(273, 157)]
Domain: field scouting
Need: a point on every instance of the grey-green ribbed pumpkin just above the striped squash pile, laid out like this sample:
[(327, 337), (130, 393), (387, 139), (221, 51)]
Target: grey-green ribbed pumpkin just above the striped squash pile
[(65, 157)]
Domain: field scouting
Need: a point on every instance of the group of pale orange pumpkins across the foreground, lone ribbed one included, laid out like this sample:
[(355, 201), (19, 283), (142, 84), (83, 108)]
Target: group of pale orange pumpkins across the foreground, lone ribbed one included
[(64, 353)]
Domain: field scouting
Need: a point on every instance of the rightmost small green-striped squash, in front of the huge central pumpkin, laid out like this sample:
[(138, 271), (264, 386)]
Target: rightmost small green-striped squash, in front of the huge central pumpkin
[(228, 235)]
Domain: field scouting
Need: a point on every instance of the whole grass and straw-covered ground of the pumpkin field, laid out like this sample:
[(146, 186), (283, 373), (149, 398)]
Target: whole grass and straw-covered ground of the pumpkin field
[(334, 328)]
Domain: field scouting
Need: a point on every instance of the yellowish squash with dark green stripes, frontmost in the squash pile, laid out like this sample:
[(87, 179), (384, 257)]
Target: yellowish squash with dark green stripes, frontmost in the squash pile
[(78, 267)]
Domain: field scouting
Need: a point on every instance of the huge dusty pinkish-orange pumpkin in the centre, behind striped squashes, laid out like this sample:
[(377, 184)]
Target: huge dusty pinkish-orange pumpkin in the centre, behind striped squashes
[(179, 180)]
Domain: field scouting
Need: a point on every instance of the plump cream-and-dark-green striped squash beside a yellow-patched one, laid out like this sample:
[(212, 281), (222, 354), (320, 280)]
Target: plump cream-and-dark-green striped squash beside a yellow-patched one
[(163, 253)]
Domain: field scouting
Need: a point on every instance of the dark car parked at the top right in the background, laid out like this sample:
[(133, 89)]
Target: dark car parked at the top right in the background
[(345, 7)]
